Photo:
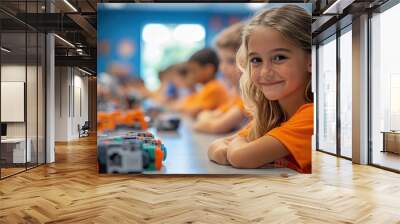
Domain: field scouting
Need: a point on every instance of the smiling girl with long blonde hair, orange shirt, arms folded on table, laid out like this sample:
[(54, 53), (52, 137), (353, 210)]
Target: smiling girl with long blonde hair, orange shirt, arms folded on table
[(275, 57)]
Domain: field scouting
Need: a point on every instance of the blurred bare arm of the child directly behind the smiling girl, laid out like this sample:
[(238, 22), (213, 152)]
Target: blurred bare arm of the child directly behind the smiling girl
[(220, 124)]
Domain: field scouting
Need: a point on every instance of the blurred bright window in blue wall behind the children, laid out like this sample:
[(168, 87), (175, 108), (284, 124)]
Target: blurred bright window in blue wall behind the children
[(167, 44)]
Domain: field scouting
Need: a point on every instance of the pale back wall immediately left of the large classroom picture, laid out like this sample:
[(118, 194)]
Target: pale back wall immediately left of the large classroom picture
[(70, 83)]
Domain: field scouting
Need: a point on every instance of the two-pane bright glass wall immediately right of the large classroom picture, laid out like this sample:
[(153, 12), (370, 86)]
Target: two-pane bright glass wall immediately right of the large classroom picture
[(334, 94)]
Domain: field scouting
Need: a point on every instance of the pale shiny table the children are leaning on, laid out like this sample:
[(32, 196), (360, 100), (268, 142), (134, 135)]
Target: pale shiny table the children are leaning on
[(187, 154)]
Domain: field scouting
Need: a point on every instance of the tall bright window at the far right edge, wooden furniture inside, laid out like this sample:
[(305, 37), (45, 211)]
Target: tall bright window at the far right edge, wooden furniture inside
[(385, 89)]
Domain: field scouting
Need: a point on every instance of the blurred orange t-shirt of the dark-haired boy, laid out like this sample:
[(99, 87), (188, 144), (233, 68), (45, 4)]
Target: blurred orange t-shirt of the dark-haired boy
[(211, 96)]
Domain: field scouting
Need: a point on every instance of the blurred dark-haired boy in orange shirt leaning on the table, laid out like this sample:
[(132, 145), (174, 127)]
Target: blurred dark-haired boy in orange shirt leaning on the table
[(203, 66)]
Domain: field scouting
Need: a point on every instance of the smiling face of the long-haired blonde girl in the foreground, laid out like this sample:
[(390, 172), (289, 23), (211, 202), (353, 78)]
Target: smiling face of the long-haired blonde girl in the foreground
[(277, 67)]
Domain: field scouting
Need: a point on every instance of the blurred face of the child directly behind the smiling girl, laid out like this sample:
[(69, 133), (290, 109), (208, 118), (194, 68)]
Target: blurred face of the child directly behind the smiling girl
[(227, 65)]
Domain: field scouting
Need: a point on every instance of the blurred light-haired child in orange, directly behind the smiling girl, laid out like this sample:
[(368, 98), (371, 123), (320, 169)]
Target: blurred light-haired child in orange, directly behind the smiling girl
[(228, 116)]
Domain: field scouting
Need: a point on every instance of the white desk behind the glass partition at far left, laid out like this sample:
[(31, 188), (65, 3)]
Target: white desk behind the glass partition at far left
[(16, 147)]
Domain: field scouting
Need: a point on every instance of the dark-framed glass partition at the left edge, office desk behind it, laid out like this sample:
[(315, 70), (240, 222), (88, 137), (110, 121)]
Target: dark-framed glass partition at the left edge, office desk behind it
[(22, 107)]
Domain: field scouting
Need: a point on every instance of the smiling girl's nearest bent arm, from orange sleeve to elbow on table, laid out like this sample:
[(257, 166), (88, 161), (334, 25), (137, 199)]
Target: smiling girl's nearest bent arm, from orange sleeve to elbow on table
[(254, 154)]
